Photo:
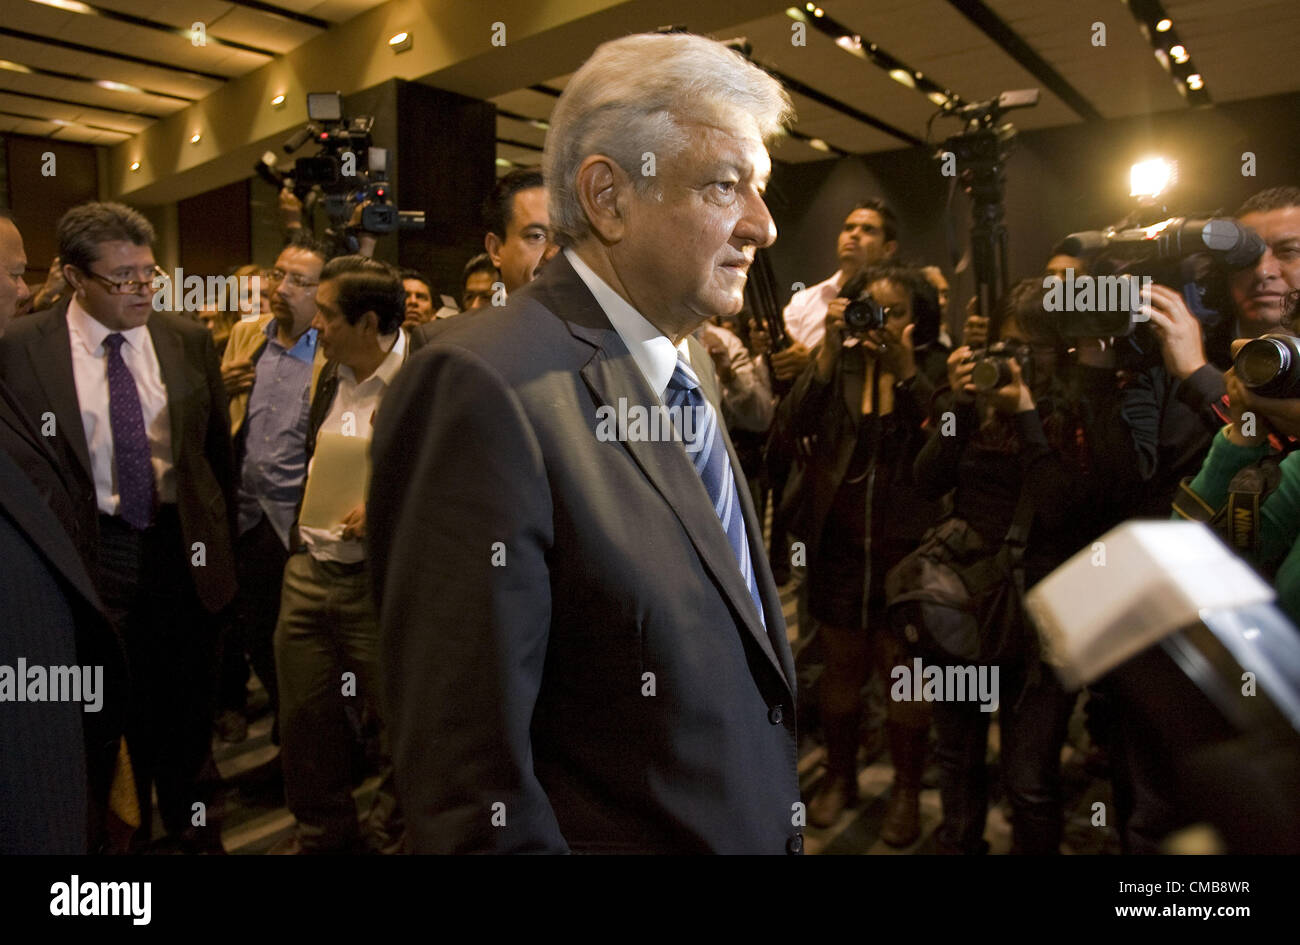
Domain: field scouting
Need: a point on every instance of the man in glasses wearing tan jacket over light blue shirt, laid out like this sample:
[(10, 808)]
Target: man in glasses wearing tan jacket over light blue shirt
[(271, 370)]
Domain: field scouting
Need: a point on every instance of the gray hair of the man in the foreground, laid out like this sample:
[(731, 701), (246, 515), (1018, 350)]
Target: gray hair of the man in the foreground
[(634, 96)]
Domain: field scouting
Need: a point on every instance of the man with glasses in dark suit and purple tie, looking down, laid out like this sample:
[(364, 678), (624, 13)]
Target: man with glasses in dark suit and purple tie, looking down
[(137, 410)]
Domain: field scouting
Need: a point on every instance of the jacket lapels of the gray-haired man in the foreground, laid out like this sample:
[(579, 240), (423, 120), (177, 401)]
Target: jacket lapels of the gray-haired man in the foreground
[(613, 375)]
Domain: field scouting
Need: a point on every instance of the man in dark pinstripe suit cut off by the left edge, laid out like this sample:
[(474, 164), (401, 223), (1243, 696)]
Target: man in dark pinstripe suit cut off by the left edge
[(58, 756)]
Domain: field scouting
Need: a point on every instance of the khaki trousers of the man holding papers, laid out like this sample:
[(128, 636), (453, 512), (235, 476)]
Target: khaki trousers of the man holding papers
[(328, 627)]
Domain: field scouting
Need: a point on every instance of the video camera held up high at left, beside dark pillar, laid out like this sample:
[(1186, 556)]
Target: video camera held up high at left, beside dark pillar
[(348, 171)]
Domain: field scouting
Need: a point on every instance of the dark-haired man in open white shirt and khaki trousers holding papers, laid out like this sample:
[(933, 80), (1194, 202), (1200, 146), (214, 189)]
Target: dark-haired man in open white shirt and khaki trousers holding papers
[(327, 640)]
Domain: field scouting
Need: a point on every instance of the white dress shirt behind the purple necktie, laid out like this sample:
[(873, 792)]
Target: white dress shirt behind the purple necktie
[(90, 372)]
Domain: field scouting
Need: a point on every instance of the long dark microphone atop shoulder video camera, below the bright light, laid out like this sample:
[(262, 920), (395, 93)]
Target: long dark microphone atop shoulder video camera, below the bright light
[(1236, 245)]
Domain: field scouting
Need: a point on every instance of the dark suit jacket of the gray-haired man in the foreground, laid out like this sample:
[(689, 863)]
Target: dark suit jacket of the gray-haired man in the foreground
[(569, 647)]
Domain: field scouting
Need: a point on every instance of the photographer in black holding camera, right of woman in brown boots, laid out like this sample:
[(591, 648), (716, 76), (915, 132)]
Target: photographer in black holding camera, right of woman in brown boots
[(1052, 434)]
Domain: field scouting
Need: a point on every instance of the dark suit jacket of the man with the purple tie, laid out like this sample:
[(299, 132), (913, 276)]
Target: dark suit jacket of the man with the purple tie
[(36, 359)]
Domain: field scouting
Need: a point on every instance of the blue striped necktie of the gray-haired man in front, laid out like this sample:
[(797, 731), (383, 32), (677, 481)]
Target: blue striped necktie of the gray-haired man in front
[(707, 450)]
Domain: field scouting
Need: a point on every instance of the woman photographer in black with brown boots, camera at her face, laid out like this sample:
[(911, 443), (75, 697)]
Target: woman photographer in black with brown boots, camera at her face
[(863, 404)]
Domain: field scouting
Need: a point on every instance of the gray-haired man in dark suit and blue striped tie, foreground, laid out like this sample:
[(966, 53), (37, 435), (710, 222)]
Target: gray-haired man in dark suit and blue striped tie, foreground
[(583, 645)]
